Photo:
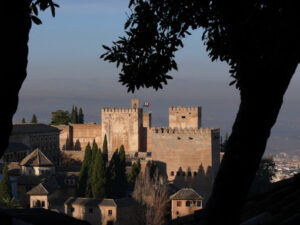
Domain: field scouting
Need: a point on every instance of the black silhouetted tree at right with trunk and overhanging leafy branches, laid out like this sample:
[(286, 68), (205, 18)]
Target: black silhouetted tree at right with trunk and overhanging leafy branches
[(259, 39)]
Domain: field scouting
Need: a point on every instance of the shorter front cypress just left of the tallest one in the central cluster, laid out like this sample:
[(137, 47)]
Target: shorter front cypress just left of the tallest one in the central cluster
[(99, 177)]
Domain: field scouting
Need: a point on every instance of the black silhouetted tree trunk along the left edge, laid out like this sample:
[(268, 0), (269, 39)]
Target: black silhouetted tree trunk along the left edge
[(15, 32)]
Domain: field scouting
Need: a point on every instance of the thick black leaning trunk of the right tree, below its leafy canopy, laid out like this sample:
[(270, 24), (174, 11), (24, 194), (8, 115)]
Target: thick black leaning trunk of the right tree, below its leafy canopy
[(261, 99)]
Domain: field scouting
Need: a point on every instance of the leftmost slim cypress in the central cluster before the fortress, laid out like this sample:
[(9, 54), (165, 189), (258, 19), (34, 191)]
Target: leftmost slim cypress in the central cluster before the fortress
[(83, 175)]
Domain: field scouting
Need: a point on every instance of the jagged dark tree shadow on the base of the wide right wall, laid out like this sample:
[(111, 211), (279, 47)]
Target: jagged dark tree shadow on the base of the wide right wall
[(200, 181)]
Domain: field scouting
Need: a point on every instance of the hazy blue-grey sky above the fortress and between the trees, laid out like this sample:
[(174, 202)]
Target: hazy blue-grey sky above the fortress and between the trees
[(65, 69)]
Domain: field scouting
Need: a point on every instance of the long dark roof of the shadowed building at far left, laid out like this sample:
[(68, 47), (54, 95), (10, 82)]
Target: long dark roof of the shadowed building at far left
[(31, 128)]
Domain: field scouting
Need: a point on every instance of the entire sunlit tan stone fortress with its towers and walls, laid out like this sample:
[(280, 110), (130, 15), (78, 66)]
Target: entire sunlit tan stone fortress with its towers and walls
[(188, 153)]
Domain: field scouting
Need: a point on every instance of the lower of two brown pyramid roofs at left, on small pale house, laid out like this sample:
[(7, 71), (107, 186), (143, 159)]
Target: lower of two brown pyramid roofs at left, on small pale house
[(48, 186)]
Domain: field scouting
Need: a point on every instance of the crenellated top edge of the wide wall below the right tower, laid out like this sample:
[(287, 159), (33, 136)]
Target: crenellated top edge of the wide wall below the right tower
[(167, 130)]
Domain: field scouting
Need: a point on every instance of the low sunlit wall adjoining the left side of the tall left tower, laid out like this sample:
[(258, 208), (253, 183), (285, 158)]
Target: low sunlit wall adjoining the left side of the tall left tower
[(85, 133)]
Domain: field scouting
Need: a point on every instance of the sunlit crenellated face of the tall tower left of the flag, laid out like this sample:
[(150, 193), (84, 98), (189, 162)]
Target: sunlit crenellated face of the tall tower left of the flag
[(122, 126)]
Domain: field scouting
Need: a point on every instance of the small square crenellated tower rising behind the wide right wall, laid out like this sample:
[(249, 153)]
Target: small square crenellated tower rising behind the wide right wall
[(185, 117)]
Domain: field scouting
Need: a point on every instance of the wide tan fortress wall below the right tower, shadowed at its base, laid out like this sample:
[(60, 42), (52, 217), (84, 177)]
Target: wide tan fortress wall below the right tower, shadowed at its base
[(188, 155)]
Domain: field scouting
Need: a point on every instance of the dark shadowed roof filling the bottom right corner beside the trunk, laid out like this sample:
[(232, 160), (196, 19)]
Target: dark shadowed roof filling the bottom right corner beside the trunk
[(280, 204)]
